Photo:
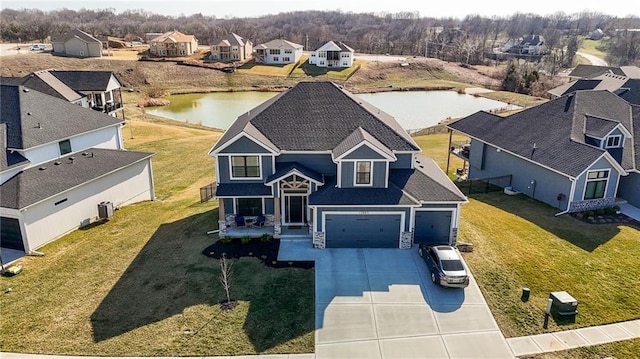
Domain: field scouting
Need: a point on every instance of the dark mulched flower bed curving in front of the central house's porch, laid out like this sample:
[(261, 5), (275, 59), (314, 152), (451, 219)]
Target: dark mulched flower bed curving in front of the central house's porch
[(267, 252)]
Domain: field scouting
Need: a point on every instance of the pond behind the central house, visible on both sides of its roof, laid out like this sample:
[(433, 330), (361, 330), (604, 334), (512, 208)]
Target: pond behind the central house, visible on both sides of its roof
[(412, 109)]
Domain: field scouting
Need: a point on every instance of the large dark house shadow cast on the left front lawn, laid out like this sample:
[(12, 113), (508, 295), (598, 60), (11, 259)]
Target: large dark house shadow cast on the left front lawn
[(170, 276)]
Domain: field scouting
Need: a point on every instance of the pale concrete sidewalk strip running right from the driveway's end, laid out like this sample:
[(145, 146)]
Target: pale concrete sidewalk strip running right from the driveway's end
[(569, 339)]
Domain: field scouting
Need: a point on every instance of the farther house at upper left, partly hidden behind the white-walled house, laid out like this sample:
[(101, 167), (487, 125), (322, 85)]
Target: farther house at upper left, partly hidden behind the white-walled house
[(98, 90)]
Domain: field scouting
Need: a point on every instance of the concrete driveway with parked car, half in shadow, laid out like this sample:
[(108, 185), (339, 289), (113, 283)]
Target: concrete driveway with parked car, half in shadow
[(380, 303)]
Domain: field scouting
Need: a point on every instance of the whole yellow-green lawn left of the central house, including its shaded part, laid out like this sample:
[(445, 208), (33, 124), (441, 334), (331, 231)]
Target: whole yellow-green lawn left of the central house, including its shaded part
[(139, 283)]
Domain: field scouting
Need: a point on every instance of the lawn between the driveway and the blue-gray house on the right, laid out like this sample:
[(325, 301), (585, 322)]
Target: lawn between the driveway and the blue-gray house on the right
[(520, 243)]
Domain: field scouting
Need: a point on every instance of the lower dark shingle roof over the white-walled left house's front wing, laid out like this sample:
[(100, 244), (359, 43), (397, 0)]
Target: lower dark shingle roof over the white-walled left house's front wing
[(36, 184)]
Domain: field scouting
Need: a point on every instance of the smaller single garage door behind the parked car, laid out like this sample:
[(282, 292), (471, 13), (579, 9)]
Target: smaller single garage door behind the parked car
[(432, 227)]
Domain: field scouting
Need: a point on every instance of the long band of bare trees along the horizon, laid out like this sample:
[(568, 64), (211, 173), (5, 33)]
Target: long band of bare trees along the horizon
[(466, 40)]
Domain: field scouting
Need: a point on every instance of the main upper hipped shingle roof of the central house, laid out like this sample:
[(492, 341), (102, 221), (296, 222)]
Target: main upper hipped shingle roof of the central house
[(317, 116)]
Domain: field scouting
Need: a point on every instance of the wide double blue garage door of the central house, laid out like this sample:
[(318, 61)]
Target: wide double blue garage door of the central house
[(362, 231)]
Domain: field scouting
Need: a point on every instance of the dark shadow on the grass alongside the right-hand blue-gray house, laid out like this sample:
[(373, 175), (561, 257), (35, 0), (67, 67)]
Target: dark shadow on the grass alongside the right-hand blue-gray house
[(583, 235)]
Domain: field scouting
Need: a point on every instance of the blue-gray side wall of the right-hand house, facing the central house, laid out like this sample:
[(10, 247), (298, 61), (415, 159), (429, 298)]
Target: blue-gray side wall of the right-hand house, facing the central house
[(546, 185)]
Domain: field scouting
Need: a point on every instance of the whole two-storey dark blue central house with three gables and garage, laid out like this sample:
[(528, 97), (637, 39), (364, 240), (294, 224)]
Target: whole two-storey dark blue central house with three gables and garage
[(318, 159)]
